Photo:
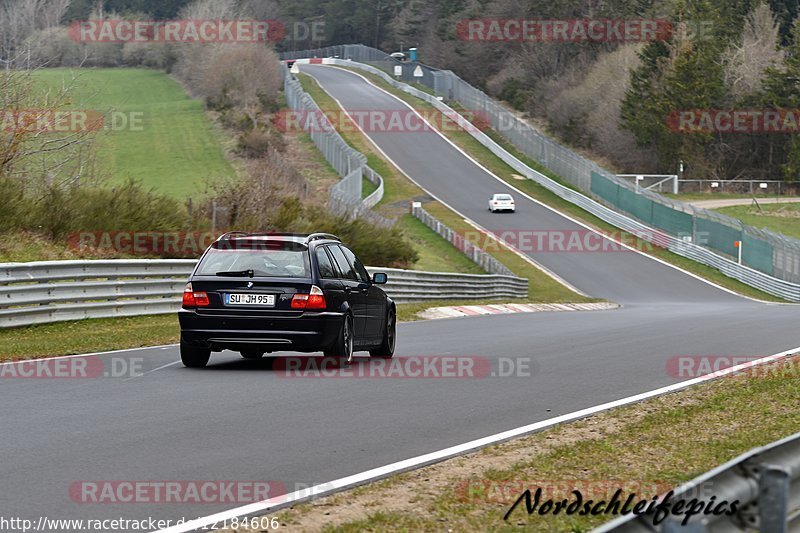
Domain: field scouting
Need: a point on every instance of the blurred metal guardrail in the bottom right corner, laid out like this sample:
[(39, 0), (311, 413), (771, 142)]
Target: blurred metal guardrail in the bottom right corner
[(765, 481)]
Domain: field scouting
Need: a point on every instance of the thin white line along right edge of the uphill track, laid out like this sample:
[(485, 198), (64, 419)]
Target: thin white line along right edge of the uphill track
[(553, 209)]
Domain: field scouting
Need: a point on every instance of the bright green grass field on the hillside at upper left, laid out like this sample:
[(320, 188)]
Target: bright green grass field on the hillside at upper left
[(174, 150)]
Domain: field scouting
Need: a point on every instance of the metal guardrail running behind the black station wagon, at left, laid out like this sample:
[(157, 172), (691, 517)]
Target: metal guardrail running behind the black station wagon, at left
[(54, 291)]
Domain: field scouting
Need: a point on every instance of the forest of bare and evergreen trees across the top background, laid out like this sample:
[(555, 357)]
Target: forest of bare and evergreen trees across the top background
[(613, 100)]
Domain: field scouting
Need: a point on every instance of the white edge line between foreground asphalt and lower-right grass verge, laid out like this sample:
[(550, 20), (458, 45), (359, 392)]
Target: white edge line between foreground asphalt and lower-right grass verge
[(453, 451)]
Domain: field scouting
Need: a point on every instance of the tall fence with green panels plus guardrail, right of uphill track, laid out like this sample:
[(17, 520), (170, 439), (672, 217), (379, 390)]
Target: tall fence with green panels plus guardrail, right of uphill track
[(770, 262)]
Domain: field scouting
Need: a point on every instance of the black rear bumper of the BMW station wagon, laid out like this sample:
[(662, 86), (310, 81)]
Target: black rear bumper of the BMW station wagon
[(309, 332)]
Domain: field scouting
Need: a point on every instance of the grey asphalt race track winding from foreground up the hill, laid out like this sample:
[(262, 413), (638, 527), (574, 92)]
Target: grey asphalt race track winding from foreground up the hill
[(245, 420)]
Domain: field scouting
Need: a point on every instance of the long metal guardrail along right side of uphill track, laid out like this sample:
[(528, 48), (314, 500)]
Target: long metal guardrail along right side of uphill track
[(769, 284)]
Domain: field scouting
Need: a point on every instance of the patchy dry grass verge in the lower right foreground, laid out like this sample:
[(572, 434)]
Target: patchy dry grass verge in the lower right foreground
[(634, 448)]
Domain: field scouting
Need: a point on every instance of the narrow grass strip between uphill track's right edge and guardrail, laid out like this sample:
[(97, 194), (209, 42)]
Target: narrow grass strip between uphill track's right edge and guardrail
[(485, 157)]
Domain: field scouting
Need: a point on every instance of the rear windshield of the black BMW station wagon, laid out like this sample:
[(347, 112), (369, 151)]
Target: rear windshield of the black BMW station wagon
[(264, 259)]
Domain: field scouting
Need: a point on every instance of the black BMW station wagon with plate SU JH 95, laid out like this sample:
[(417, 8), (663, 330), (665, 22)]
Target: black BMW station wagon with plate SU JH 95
[(260, 293)]
